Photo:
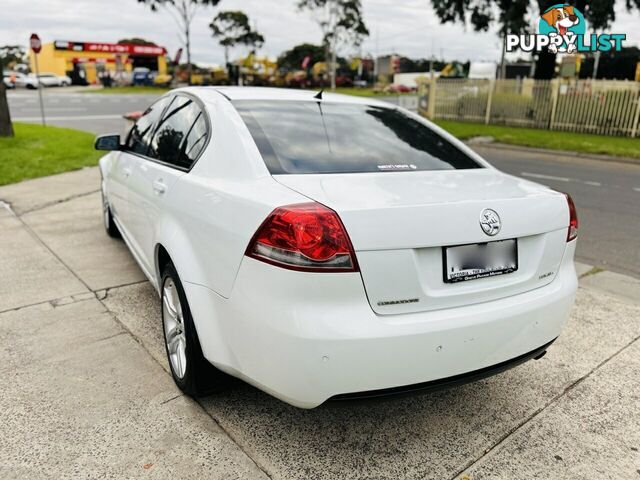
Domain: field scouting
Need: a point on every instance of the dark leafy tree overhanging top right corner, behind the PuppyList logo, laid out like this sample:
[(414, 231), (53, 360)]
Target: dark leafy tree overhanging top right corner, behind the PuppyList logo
[(519, 16)]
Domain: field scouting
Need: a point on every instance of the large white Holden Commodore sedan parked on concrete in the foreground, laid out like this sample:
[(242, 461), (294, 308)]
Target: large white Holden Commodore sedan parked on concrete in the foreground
[(332, 247)]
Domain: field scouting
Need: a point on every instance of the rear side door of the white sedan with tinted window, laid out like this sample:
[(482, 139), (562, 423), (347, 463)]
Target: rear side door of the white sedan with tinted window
[(174, 147)]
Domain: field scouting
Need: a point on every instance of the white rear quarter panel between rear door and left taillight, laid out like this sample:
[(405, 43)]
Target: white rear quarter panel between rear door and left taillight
[(215, 209)]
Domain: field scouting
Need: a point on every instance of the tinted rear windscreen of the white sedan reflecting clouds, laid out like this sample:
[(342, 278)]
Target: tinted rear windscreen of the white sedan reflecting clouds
[(322, 137)]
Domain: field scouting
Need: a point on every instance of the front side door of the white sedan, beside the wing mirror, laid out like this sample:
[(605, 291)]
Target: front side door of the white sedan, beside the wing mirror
[(136, 146)]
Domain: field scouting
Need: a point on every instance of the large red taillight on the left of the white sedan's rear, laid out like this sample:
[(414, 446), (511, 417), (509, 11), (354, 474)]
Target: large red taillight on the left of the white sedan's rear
[(307, 236)]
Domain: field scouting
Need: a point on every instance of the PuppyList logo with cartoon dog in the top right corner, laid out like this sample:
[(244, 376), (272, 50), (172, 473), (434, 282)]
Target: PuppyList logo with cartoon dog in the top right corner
[(562, 29)]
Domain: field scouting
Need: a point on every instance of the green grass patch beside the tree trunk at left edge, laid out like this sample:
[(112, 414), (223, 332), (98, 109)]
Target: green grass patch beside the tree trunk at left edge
[(36, 151)]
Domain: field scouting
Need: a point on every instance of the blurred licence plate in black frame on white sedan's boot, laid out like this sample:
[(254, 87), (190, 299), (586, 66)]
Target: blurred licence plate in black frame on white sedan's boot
[(479, 260)]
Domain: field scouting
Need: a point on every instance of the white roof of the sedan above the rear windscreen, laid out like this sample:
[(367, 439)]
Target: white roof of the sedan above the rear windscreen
[(281, 94)]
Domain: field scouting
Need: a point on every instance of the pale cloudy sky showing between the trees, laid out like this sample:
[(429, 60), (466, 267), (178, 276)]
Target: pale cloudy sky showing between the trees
[(407, 27)]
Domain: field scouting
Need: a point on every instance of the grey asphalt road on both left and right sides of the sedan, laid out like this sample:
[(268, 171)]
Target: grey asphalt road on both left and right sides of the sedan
[(607, 194)]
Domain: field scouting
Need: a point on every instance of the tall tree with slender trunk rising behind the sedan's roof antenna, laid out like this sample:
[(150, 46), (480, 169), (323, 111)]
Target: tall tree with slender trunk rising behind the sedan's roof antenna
[(341, 22)]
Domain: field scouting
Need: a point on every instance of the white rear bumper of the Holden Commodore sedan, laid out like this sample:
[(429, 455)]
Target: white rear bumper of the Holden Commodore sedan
[(306, 337)]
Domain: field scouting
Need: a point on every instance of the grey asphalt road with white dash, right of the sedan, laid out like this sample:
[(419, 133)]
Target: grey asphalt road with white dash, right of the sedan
[(607, 197)]
